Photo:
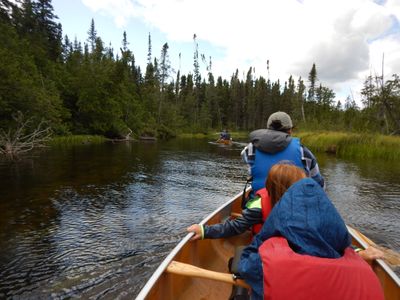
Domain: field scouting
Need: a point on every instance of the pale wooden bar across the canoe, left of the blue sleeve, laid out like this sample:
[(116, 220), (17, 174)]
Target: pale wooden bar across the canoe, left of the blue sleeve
[(176, 267)]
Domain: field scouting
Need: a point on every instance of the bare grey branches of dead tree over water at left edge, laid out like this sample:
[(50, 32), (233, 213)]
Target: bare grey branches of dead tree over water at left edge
[(19, 140)]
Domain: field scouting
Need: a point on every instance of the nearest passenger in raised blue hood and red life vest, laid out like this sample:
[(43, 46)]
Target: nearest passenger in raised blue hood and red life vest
[(288, 258)]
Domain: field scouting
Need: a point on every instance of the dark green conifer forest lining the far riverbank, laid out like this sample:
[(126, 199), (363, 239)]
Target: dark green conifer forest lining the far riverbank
[(89, 89)]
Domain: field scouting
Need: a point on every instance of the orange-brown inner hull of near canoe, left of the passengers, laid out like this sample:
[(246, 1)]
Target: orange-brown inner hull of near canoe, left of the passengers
[(209, 254)]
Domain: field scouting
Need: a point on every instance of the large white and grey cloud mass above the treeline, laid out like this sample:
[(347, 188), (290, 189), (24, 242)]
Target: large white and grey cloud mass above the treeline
[(344, 38)]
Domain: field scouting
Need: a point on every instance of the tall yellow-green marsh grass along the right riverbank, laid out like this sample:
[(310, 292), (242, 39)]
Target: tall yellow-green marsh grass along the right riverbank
[(352, 145)]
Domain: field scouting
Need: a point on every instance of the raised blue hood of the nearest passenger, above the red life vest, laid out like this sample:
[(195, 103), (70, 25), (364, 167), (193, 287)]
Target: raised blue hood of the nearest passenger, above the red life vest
[(306, 217)]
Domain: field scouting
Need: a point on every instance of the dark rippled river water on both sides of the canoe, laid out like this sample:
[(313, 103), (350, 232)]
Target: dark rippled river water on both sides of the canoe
[(94, 221)]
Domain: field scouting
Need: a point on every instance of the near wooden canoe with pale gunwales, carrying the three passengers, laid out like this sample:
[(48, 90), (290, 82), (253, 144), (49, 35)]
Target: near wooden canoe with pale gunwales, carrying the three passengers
[(214, 255)]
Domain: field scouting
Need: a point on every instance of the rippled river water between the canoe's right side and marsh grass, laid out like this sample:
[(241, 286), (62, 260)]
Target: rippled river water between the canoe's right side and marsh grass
[(367, 195)]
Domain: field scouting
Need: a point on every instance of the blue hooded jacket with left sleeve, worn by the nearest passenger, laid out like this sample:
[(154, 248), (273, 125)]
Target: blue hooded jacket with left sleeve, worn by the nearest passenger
[(308, 220)]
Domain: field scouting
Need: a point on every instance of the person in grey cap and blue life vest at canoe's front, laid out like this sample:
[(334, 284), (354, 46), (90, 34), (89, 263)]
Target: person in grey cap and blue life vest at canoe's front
[(274, 144)]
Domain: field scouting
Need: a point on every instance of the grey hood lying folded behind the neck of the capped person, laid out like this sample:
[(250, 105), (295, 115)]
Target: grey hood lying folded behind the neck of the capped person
[(270, 141)]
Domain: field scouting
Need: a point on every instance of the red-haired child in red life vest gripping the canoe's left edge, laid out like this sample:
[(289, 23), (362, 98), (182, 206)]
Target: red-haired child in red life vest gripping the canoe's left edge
[(280, 178)]
